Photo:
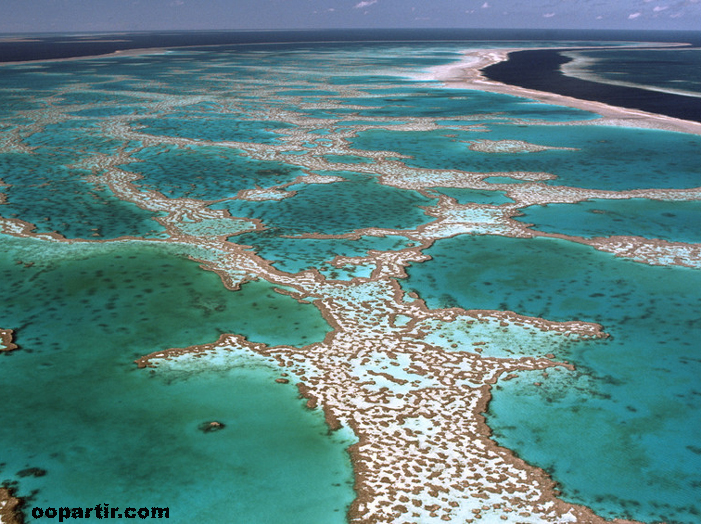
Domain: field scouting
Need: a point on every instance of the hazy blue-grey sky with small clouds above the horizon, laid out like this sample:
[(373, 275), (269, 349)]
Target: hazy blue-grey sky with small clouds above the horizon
[(20, 16)]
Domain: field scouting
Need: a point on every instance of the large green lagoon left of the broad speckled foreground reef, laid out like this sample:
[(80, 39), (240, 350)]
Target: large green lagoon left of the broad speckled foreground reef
[(105, 431)]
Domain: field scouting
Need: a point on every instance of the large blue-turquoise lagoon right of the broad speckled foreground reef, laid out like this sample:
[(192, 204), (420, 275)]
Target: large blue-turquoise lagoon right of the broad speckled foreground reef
[(621, 434)]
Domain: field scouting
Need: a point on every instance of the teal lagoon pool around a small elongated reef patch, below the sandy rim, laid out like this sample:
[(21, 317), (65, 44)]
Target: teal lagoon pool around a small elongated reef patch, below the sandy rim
[(605, 158)]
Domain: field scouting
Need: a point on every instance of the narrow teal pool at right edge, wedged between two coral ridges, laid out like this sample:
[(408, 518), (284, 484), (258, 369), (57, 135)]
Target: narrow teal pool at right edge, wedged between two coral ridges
[(671, 221)]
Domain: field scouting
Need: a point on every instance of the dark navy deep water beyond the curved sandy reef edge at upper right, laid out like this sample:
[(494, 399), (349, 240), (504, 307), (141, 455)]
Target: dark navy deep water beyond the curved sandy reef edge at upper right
[(664, 80)]
